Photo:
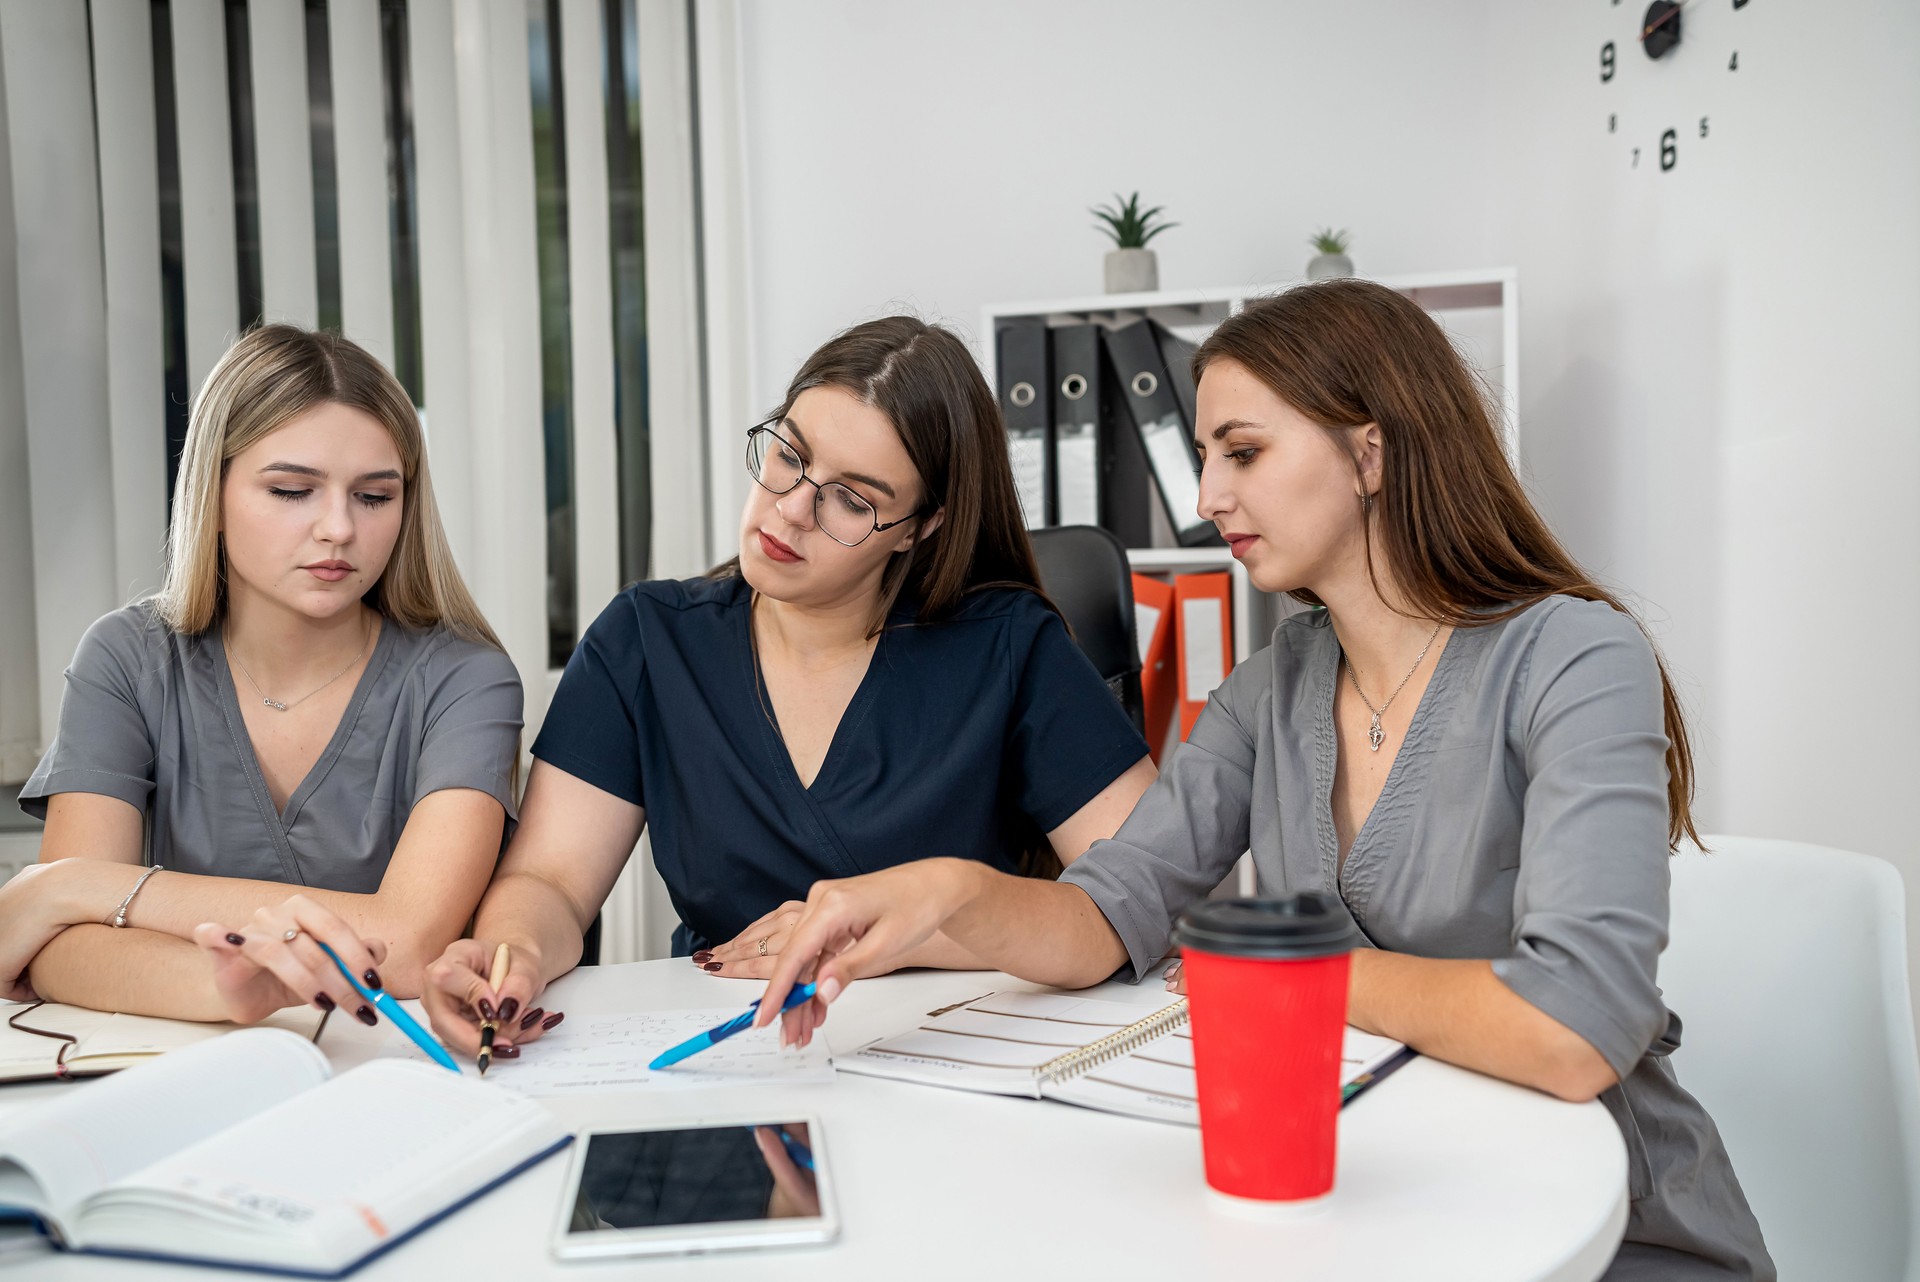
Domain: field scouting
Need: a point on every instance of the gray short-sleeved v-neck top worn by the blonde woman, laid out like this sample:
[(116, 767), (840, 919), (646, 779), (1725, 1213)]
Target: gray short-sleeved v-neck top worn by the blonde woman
[(151, 717)]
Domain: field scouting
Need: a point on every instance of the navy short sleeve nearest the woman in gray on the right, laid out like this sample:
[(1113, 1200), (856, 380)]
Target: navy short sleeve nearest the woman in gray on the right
[(1068, 738)]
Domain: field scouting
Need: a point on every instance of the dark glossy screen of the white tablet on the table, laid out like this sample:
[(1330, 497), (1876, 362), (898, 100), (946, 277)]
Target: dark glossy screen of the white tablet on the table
[(704, 1175)]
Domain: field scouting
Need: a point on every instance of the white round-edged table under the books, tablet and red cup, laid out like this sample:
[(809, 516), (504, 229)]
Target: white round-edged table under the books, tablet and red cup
[(1443, 1174)]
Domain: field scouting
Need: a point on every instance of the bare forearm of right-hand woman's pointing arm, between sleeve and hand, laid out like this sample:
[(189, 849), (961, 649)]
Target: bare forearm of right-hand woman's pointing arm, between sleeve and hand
[(1045, 932)]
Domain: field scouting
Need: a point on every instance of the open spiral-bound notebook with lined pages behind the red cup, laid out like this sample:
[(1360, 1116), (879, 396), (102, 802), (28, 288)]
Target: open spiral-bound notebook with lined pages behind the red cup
[(1078, 1051)]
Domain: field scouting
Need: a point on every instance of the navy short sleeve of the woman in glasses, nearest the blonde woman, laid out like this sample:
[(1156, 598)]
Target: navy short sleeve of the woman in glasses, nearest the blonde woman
[(592, 728)]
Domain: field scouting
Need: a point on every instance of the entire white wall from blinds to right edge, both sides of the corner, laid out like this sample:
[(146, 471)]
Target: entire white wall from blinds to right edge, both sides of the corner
[(1721, 379)]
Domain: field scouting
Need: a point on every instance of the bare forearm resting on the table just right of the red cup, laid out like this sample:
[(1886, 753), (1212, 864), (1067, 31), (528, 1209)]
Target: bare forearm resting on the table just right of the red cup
[(1458, 1010)]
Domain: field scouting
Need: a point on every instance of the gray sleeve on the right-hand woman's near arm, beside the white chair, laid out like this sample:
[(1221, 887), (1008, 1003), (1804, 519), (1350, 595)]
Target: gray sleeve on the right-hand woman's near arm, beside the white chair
[(1591, 897)]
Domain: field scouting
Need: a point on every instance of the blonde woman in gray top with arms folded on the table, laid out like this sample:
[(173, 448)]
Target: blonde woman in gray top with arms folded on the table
[(312, 700)]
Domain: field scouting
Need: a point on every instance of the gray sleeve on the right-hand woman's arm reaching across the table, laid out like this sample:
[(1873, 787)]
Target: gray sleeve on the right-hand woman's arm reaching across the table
[(1188, 830)]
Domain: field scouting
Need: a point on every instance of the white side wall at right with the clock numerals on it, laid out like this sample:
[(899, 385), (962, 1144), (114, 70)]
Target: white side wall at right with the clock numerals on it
[(1723, 392)]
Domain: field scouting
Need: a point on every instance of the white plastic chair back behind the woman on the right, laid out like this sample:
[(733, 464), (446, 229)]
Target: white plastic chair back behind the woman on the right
[(1788, 966)]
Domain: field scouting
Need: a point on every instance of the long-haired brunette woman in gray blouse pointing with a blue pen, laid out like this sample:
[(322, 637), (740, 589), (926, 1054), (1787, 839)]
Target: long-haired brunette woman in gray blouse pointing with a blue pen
[(1472, 744)]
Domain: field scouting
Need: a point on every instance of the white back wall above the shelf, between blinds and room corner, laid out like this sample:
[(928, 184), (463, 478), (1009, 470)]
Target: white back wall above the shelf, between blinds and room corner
[(942, 156)]
